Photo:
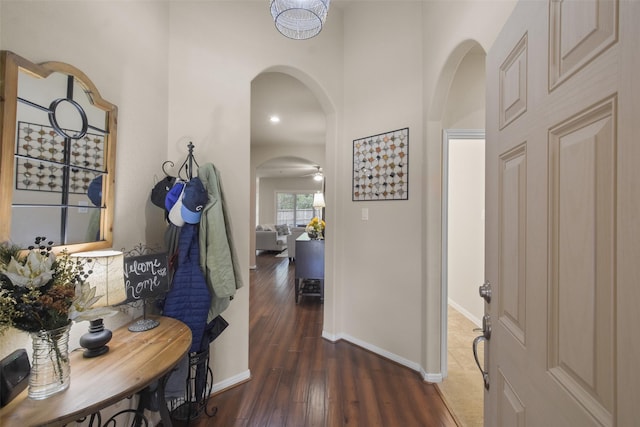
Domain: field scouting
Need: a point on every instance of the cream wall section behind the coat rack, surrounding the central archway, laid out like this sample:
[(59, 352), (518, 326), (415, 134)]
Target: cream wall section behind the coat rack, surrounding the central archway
[(216, 49)]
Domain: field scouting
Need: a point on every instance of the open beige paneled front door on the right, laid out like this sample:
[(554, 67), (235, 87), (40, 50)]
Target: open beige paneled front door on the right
[(562, 243)]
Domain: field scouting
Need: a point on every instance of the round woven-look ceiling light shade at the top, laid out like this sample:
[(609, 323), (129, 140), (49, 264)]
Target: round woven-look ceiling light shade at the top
[(299, 19)]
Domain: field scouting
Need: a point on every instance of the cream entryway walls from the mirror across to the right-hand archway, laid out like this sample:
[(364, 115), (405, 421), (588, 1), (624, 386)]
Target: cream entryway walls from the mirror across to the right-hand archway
[(182, 71)]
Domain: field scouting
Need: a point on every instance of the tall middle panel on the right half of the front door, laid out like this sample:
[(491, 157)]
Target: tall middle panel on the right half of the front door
[(581, 349)]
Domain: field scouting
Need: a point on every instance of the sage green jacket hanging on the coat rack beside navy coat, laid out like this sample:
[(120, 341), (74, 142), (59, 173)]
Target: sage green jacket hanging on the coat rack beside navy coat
[(218, 257)]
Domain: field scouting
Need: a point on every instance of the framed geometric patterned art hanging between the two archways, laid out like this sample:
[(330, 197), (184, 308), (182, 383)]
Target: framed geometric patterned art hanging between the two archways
[(381, 166)]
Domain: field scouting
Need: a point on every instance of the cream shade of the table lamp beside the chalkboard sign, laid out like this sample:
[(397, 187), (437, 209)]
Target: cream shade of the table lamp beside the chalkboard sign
[(107, 275)]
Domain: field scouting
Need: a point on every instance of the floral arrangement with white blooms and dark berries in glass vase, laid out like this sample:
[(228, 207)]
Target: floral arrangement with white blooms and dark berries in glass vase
[(41, 291)]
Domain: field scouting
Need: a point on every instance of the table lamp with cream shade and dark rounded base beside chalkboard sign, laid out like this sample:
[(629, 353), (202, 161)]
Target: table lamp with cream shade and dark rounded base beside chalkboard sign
[(107, 276)]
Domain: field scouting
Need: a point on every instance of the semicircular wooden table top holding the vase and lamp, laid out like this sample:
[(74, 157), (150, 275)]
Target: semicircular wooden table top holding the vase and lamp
[(134, 360)]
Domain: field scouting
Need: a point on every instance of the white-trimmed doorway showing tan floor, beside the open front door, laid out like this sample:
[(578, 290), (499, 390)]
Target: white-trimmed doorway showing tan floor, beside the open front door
[(463, 270)]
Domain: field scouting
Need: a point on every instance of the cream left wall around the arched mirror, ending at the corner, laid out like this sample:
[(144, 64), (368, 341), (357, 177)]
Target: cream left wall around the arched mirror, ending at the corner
[(105, 41)]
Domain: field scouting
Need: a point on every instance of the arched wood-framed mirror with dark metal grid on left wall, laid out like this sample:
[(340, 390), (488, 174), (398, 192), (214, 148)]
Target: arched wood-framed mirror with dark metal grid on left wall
[(13, 162)]
